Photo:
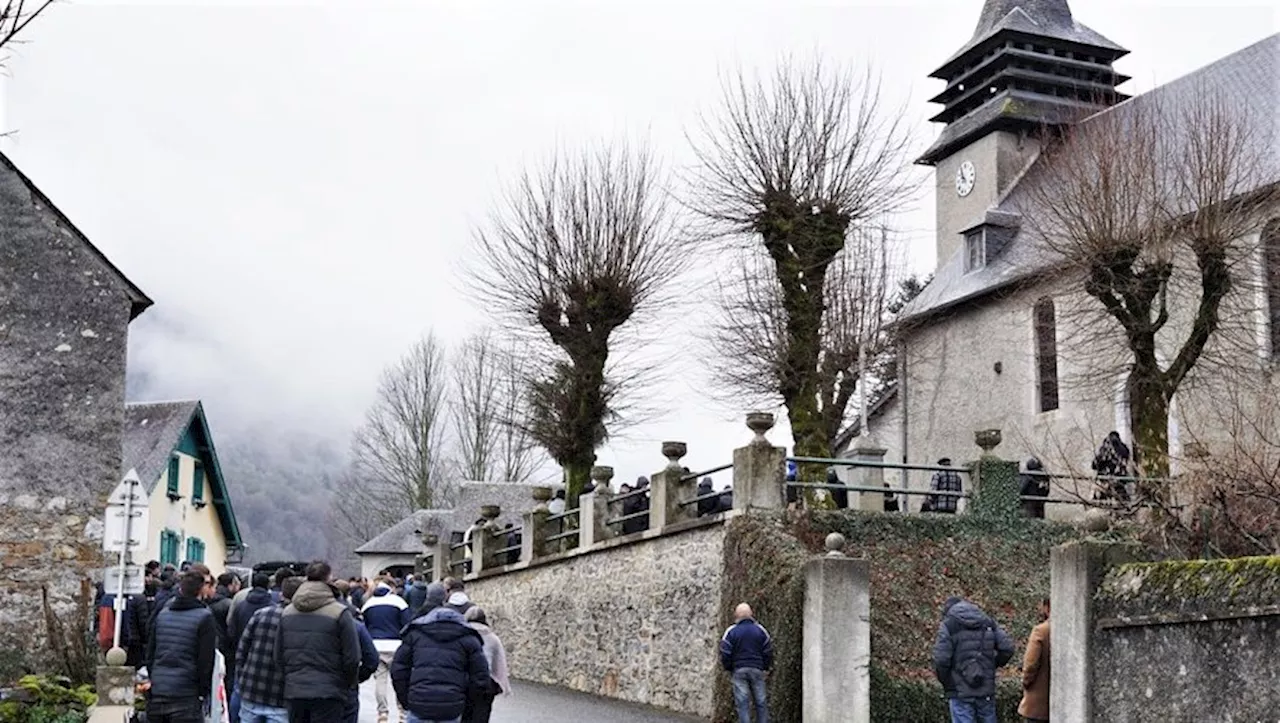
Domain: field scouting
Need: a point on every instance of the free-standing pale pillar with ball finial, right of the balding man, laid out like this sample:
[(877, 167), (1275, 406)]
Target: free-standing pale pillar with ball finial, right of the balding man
[(836, 676)]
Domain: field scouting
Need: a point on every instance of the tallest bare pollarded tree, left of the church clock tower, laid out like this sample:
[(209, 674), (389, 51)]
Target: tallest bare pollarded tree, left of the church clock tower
[(796, 166)]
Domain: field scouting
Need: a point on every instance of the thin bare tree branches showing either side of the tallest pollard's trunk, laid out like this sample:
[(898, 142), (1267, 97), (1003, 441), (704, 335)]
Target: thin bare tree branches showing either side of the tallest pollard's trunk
[(755, 346)]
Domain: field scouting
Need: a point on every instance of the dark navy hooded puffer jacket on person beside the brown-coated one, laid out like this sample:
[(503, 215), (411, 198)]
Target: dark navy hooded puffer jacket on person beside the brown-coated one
[(968, 651)]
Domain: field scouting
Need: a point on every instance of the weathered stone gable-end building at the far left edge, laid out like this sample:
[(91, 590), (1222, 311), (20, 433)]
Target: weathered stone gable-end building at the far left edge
[(65, 317)]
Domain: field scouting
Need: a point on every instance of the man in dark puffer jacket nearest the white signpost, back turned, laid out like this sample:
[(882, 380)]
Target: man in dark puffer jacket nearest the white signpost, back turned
[(181, 655)]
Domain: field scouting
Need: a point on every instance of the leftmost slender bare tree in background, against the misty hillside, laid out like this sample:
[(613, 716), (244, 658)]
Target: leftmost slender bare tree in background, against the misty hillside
[(401, 450)]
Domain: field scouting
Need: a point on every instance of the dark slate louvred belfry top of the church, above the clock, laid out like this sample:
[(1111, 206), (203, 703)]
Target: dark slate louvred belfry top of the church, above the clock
[(1028, 65)]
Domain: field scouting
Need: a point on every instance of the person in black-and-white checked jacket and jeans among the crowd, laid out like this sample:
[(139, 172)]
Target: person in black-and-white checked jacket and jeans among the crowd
[(259, 678)]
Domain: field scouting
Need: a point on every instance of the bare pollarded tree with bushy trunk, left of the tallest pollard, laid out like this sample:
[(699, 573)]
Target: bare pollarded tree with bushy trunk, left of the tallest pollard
[(579, 249)]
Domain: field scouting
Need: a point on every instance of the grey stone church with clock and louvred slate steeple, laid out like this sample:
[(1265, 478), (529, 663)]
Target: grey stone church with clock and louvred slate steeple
[(990, 342)]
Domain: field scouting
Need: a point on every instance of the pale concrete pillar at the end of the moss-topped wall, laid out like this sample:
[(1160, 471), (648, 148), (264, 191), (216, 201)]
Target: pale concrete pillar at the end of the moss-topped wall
[(1076, 571)]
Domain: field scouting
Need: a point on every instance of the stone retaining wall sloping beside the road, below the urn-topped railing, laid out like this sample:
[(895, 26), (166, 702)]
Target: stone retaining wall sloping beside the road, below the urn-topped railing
[(637, 621)]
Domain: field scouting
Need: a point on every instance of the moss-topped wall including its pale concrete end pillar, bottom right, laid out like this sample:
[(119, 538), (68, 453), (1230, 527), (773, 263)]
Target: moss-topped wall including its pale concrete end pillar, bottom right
[(1183, 640)]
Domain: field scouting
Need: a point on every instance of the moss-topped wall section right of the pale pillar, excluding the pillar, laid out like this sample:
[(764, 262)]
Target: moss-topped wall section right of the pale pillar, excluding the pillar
[(1188, 642)]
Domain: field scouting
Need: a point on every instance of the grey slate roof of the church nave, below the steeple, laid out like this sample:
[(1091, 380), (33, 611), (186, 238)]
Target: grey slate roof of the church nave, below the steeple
[(1247, 81)]
